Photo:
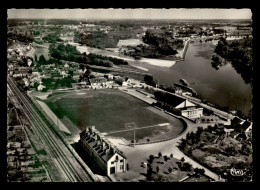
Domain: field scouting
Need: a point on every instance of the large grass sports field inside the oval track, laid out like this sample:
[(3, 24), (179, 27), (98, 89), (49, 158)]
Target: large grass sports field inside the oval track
[(109, 110)]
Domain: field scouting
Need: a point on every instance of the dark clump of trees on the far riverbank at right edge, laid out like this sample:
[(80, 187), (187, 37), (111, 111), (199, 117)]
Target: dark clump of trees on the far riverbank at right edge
[(239, 52)]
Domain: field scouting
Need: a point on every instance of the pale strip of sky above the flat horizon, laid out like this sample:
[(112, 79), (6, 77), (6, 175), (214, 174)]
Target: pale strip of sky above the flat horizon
[(130, 13)]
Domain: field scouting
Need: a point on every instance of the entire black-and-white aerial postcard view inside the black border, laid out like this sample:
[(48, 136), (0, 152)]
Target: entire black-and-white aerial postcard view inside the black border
[(129, 95)]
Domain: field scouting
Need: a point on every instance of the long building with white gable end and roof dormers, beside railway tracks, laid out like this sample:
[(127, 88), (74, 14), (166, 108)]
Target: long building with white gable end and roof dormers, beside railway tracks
[(102, 151)]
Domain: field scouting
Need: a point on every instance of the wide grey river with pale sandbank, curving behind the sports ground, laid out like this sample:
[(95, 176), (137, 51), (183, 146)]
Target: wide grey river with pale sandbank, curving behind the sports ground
[(222, 87)]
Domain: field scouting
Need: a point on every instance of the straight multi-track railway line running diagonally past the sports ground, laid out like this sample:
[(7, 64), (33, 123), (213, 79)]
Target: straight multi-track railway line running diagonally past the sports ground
[(64, 159)]
